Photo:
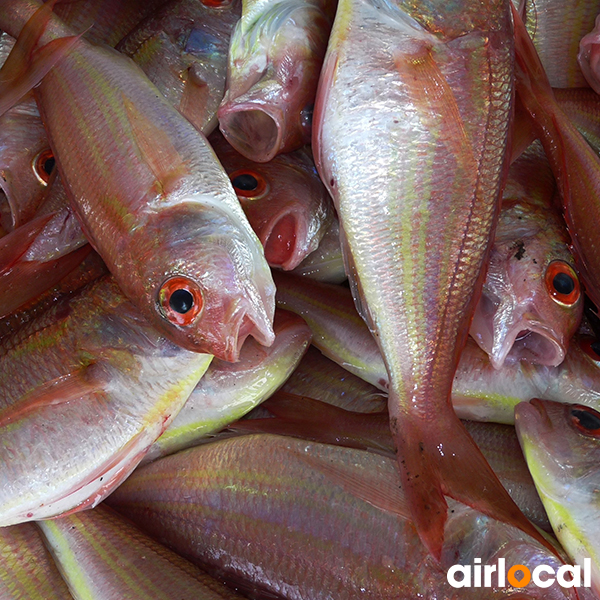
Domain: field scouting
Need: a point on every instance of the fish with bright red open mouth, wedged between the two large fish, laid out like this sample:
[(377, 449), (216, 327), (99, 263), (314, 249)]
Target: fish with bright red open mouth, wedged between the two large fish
[(284, 200)]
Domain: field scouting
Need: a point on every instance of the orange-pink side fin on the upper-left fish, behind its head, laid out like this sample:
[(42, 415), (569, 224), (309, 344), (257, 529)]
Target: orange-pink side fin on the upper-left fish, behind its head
[(156, 148)]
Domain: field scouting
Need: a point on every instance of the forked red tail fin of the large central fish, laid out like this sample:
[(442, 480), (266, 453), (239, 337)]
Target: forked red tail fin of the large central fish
[(434, 463)]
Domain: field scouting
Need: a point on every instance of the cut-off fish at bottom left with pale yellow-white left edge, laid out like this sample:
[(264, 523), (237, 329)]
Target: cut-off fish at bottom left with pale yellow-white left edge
[(102, 555)]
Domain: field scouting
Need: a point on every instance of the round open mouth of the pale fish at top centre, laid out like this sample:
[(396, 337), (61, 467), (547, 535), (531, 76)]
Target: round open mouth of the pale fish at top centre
[(255, 132)]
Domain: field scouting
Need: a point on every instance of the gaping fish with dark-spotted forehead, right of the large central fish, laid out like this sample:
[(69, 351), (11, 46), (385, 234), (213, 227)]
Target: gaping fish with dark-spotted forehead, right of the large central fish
[(532, 302)]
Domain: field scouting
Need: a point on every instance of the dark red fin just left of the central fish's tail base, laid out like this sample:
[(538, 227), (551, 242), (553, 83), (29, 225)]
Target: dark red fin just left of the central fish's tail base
[(306, 418)]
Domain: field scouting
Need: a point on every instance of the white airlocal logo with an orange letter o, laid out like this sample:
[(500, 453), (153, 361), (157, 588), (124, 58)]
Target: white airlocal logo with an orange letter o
[(519, 576)]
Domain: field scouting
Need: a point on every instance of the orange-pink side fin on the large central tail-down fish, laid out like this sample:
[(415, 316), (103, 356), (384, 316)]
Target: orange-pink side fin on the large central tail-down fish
[(437, 103)]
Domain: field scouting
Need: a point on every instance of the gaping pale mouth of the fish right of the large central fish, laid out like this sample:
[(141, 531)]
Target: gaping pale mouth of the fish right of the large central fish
[(534, 344)]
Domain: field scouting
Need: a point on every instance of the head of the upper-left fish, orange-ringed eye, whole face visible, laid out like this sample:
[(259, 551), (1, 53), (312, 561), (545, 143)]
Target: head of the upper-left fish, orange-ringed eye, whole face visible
[(217, 291)]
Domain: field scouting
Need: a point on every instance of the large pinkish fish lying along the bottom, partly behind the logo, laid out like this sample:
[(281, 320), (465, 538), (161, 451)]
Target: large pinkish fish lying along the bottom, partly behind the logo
[(305, 520)]
